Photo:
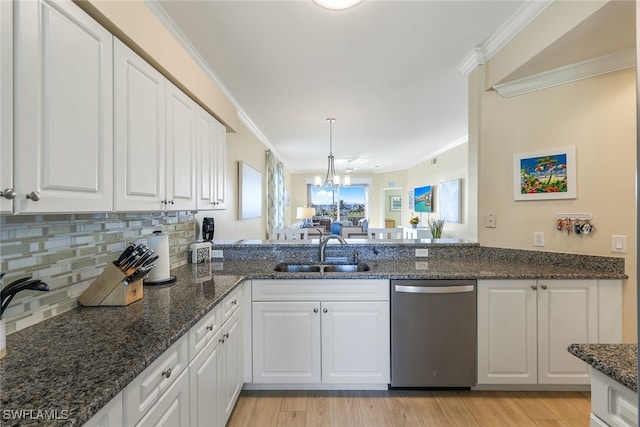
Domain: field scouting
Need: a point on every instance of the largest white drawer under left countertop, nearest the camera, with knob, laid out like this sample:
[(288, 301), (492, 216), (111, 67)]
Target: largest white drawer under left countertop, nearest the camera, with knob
[(147, 387)]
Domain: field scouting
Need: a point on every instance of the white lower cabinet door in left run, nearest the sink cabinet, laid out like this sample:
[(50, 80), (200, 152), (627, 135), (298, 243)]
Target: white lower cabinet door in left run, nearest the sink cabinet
[(231, 367)]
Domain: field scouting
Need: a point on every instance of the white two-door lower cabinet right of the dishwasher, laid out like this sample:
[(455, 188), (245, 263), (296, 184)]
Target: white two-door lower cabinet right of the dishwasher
[(525, 327)]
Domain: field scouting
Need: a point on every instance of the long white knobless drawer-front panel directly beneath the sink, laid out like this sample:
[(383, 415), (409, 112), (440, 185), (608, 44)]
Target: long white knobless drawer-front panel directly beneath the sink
[(321, 289)]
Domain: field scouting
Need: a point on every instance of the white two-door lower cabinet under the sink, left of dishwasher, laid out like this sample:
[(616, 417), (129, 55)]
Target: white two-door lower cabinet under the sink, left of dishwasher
[(320, 331)]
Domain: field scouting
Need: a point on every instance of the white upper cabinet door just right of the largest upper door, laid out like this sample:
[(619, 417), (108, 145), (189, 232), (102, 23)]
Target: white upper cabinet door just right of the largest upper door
[(139, 133)]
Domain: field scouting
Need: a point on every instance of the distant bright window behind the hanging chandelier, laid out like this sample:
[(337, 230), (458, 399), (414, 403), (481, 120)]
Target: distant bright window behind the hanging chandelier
[(340, 204)]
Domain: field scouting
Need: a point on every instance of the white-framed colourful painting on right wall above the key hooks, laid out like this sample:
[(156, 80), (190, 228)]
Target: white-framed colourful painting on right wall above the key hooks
[(545, 174)]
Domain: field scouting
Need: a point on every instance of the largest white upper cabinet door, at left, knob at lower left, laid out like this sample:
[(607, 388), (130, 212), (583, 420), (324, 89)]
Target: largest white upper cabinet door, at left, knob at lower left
[(63, 109)]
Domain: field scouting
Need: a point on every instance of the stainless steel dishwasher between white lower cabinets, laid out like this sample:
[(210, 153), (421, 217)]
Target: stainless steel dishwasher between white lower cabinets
[(433, 333)]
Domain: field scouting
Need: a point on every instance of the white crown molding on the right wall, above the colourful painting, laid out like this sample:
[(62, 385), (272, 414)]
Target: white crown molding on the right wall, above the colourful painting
[(581, 70)]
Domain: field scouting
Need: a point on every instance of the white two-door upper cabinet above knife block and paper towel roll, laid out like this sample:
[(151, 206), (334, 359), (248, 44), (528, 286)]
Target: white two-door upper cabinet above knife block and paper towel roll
[(155, 137)]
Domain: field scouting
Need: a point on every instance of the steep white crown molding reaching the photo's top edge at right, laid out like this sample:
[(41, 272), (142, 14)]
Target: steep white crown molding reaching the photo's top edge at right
[(481, 54)]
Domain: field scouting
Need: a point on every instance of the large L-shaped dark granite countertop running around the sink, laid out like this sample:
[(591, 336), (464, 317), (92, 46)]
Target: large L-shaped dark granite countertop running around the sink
[(79, 360)]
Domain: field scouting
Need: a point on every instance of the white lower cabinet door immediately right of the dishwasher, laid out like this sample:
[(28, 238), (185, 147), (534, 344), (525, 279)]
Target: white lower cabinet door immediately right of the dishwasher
[(507, 332)]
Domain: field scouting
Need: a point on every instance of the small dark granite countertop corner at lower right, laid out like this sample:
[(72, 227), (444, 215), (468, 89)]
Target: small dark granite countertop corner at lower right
[(618, 361)]
